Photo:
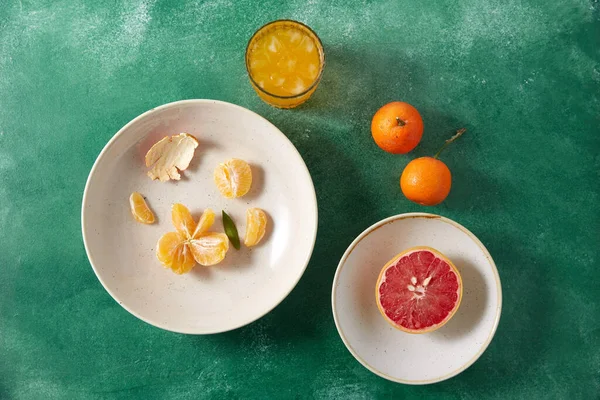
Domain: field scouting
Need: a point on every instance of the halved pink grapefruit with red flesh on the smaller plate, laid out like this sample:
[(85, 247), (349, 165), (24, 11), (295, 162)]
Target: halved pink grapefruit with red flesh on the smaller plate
[(419, 290)]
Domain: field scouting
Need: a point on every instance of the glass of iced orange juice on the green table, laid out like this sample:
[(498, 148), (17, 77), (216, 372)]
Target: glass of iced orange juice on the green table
[(285, 61)]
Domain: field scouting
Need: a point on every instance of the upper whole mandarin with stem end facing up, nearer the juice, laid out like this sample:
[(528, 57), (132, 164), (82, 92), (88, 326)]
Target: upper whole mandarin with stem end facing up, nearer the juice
[(397, 127)]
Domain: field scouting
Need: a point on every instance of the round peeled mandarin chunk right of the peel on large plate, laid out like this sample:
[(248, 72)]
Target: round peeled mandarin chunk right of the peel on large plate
[(233, 178)]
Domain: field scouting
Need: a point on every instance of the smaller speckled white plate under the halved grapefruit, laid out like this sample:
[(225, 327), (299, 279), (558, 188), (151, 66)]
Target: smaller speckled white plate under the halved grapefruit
[(416, 358)]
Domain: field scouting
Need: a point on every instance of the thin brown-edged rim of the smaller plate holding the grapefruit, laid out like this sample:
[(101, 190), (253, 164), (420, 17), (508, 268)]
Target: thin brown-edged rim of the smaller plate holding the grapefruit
[(387, 221)]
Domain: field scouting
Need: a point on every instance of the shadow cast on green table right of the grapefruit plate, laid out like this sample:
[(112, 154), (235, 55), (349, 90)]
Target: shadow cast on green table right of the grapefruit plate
[(520, 341)]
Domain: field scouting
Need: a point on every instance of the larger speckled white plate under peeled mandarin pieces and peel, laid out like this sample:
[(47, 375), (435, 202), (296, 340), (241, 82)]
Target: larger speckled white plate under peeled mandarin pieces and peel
[(249, 282)]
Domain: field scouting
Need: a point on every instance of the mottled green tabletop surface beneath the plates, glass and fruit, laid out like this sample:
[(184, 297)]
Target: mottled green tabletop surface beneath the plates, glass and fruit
[(522, 75)]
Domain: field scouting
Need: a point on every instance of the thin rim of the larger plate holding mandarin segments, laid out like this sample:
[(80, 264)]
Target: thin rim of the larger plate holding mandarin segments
[(111, 142)]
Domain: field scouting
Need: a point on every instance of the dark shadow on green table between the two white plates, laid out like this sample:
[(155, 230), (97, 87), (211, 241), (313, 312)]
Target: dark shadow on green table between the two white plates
[(345, 209)]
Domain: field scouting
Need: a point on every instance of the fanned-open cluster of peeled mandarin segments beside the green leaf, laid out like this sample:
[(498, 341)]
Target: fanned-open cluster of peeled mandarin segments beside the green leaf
[(191, 243)]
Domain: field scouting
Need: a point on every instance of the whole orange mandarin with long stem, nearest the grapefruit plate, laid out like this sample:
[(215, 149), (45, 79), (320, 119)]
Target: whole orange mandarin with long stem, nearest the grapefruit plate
[(427, 180)]
